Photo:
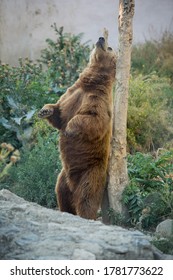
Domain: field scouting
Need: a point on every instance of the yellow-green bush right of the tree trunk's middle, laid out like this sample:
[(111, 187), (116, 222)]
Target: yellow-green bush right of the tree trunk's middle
[(150, 113)]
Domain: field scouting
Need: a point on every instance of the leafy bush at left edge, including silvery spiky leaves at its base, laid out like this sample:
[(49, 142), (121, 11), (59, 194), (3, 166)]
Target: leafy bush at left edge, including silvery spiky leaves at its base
[(22, 91)]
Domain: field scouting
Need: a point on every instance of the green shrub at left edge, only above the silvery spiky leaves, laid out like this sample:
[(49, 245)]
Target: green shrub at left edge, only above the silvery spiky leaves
[(24, 84)]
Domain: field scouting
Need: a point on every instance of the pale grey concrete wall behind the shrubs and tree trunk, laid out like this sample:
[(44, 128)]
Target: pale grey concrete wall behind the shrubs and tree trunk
[(25, 24)]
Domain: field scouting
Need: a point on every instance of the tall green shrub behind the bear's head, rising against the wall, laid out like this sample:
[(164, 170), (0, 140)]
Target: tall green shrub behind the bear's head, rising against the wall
[(65, 58)]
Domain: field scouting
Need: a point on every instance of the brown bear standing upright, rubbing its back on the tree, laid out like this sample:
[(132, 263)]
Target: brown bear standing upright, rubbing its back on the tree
[(83, 116)]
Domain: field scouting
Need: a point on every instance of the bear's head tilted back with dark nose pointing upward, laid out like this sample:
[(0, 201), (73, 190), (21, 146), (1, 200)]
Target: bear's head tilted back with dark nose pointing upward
[(102, 55)]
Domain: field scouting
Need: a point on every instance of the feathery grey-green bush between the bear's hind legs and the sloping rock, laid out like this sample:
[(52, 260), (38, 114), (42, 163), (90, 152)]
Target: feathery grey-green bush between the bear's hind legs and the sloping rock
[(34, 177)]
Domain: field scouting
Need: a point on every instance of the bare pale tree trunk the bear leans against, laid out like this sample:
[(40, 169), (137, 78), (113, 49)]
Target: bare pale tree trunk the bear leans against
[(118, 176)]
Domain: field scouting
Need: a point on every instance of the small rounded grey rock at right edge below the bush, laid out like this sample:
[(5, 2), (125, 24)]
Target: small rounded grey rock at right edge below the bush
[(165, 228)]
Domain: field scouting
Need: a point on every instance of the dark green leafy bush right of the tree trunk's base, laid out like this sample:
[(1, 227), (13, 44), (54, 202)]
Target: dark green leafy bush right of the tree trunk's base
[(149, 195)]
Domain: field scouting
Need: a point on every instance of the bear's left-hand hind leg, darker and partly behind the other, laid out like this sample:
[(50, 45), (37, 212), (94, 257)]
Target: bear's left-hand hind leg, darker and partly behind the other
[(64, 195)]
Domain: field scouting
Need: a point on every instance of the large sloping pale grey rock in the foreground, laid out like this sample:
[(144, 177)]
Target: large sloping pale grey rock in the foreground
[(29, 231)]
